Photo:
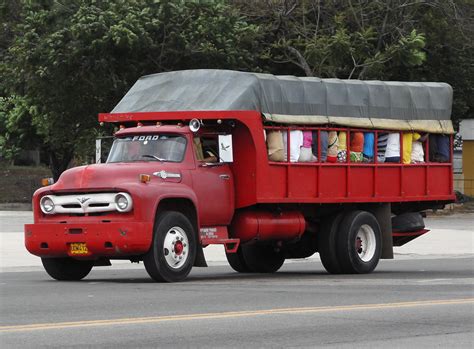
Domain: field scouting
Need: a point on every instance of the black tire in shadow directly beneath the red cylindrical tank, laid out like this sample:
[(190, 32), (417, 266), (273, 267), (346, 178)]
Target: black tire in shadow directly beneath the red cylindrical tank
[(262, 258)]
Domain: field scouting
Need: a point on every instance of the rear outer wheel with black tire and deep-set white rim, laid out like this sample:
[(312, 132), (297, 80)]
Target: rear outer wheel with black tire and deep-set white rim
[(359, 243)]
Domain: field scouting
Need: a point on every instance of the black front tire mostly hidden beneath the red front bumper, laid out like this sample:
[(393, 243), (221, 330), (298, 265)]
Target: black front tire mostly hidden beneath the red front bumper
[(67, 269)]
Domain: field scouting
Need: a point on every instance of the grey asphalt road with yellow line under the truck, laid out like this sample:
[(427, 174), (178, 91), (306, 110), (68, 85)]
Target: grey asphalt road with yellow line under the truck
[(415, 303)]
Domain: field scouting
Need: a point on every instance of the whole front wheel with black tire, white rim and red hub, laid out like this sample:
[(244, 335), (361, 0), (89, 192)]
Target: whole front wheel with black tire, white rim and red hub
[(173, 250)]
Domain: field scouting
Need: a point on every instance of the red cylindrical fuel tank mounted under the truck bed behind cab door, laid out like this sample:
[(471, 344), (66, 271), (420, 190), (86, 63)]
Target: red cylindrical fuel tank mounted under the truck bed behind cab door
[(265, 225)]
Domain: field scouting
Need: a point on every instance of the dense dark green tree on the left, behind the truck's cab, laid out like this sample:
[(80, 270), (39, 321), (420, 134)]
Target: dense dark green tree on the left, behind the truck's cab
[(71, 60)]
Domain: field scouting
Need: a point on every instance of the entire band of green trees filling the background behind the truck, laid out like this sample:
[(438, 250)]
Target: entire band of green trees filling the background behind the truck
[(62, 62)]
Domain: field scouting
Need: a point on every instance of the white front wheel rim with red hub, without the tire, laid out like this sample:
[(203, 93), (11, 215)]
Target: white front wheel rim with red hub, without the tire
[(176, 247)]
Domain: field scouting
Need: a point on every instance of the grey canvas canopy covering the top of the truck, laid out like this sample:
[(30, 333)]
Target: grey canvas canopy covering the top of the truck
[(422, 106)]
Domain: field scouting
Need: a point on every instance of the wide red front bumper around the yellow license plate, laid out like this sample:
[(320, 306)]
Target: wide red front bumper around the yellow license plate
[(114, 239)]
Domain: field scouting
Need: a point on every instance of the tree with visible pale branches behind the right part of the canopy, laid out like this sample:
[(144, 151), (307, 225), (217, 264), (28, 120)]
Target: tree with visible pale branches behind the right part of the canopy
[(370, 39)]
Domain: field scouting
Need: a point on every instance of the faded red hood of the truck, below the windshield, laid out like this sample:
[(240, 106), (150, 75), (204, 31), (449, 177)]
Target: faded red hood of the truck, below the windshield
[(106, 176)]
